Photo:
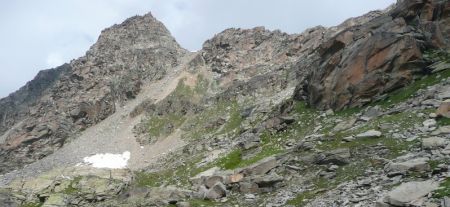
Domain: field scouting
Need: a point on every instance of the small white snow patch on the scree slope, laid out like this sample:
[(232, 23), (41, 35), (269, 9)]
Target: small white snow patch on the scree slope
[(107, 160)]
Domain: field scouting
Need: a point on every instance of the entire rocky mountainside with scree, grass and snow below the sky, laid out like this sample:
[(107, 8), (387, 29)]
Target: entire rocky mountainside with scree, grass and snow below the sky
[(352, 115)]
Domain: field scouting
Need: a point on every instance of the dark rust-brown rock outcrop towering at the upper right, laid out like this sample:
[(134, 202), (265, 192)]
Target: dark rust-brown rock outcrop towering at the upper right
[(366, 60)]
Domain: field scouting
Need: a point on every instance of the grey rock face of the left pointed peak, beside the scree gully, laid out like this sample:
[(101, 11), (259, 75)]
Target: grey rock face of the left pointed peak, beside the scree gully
[(60, 102)]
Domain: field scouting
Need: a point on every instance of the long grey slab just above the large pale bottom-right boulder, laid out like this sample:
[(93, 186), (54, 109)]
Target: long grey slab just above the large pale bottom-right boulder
[(418, 165)]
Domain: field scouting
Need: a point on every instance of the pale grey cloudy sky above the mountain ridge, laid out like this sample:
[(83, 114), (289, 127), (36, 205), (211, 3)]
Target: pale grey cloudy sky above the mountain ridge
[(42, 34)]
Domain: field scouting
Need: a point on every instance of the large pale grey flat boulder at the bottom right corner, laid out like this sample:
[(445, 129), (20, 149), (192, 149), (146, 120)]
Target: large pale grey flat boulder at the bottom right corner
[(410, 192)]
